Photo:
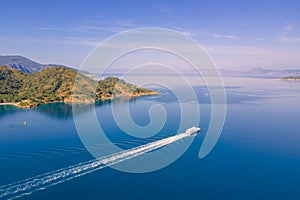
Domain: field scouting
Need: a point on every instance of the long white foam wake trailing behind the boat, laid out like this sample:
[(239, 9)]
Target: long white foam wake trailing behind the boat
[(28, 186)]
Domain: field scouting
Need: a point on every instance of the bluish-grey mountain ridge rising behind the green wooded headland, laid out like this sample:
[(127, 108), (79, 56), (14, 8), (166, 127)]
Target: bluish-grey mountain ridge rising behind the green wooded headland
[(24, 64)]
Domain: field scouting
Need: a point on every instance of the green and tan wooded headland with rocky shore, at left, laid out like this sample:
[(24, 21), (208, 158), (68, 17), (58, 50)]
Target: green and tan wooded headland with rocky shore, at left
[(57, 85)]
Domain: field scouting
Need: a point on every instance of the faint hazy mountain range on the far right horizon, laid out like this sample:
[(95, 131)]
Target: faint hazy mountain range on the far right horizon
[(260, 72)]
